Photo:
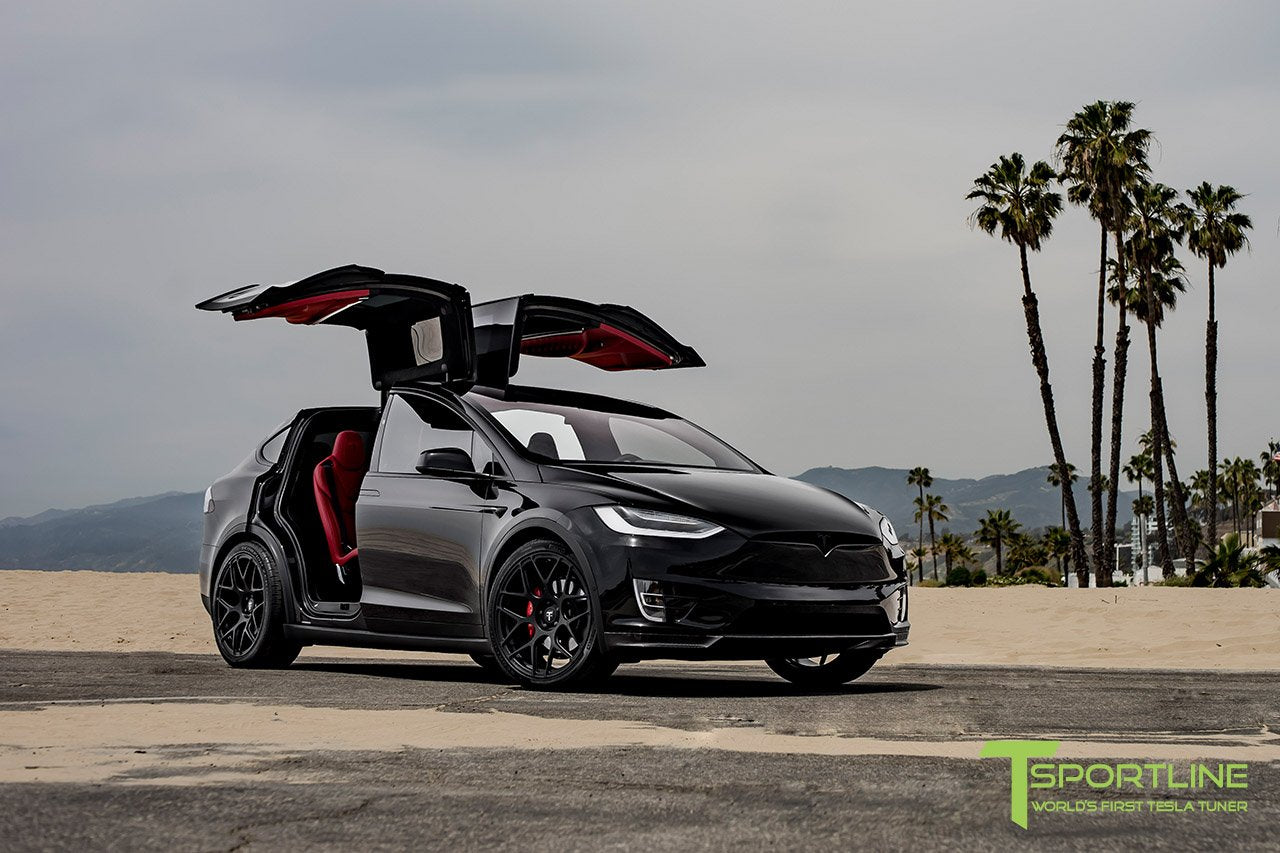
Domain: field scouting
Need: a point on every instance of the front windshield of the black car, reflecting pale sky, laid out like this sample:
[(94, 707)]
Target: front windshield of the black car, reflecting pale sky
[(572, 435)]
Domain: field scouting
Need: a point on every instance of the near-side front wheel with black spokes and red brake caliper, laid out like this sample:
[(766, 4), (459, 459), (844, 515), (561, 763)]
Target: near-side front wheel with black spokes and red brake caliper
[(543, 619)]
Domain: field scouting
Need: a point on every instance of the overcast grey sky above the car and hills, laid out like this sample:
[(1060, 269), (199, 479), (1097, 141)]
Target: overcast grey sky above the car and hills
[(780, 185)]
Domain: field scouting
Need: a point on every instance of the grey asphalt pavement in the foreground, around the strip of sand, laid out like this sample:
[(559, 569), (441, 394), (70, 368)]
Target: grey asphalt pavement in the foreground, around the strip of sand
[(633, 797)]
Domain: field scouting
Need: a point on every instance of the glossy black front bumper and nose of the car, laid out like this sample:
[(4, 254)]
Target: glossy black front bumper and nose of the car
[(732, 597)]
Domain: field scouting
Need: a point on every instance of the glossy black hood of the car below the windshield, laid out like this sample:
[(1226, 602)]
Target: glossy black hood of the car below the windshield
[(744, 501)]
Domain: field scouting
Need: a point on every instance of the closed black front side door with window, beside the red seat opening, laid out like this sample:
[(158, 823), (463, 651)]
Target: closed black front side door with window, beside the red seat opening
[(419, 533)]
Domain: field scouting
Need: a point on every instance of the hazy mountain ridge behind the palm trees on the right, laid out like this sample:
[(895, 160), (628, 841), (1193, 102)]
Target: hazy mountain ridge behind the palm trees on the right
[(1027, 495)]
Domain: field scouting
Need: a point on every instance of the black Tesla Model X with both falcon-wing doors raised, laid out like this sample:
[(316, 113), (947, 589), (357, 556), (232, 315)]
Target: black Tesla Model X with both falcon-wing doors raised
[(550, 535)]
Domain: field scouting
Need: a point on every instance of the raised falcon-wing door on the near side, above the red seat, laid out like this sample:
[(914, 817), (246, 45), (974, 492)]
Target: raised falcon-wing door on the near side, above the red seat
[(417, 329)]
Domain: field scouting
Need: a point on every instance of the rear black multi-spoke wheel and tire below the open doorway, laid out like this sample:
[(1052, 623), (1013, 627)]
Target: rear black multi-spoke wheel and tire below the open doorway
[(248, 610)]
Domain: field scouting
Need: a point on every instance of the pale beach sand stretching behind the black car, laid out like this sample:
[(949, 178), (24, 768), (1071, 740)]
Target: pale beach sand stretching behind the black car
[(1139, 628)]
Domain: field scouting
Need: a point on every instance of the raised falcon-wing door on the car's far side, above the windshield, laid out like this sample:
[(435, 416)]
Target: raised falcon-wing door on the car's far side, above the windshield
[(611, 337)]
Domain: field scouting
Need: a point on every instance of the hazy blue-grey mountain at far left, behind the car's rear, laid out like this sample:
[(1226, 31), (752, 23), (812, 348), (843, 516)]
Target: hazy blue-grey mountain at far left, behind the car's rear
[(158, 533)]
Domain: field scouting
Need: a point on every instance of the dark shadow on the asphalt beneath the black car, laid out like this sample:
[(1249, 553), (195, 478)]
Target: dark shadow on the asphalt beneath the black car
[(701, 685)]
